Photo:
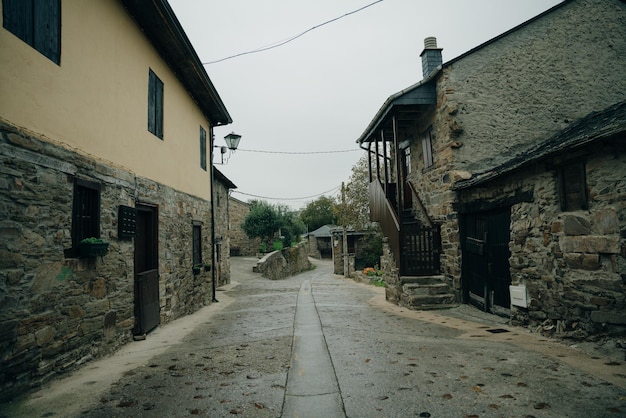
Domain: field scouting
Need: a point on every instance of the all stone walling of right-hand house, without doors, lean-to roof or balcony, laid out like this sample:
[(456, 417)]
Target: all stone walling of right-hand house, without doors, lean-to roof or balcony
[(501, 98)]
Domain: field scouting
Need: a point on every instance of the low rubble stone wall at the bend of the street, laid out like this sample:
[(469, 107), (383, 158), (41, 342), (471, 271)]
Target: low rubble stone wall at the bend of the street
[(284, 263)]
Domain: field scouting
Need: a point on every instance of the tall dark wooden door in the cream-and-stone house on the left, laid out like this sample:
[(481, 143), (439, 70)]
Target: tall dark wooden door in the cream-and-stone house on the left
[(147, 309)]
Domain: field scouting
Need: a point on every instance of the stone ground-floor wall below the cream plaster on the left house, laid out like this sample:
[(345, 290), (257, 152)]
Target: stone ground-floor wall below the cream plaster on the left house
[(57, 312)]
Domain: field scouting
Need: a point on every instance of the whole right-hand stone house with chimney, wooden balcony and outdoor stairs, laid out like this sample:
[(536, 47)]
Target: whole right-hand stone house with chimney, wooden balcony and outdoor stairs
[(460, 225)]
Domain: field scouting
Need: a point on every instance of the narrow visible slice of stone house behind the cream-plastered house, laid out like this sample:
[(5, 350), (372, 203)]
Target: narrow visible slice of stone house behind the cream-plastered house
[(221, 189)]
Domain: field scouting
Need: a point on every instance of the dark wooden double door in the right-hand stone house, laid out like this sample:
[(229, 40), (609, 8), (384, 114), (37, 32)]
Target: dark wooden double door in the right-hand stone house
[(486, 275)]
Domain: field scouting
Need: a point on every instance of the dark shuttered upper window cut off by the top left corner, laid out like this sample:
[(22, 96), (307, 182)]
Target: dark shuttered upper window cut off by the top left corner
[(36, 22)]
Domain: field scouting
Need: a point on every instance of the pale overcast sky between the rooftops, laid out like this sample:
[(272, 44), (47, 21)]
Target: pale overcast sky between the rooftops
[(319, 92)]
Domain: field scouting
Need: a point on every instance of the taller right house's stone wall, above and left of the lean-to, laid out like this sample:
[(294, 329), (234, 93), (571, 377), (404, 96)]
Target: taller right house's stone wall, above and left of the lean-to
[(518, 89)]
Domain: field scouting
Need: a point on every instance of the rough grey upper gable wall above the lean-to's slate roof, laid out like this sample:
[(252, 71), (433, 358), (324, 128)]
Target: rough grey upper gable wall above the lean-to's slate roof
[(535, 81)]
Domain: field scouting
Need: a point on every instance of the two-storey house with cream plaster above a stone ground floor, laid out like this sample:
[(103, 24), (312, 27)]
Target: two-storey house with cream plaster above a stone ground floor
[(106, 130)]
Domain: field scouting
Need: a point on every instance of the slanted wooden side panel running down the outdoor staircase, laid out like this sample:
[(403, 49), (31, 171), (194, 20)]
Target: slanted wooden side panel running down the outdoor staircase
[(382, 212)]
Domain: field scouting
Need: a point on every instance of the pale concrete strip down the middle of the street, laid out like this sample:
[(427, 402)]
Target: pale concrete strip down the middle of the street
[(312, 388)]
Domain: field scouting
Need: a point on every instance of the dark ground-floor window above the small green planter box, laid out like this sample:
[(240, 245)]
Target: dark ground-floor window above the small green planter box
[(85, 213)]
